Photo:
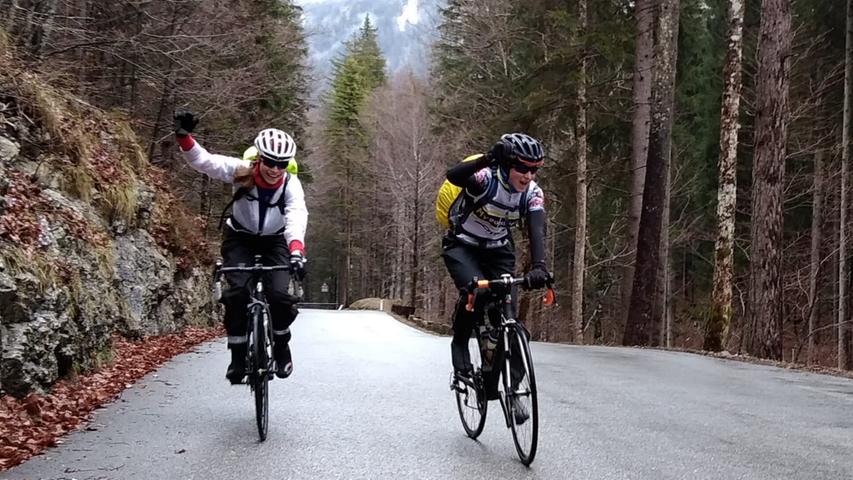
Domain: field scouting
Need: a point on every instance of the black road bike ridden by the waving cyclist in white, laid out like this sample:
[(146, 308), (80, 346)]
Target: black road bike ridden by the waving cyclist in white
[(260, 363)]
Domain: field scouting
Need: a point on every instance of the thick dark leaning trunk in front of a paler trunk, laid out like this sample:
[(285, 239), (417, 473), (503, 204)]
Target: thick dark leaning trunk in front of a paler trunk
[(642, 326)]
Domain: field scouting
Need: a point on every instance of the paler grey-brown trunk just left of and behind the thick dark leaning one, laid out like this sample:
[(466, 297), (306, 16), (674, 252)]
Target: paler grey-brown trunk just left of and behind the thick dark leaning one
[(644, 12)]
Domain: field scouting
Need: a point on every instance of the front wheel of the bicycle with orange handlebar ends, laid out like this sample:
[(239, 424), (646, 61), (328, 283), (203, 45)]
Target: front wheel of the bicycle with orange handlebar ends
[(522, 404)]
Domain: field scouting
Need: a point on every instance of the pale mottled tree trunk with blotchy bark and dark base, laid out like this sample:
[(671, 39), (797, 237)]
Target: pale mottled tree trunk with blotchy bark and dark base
[(719, 321)]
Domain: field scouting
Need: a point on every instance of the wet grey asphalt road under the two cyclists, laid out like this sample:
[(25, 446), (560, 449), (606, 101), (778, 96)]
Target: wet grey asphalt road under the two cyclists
[(369, 398)]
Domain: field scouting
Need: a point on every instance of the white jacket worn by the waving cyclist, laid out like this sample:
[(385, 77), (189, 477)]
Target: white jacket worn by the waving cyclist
[(246, 210)]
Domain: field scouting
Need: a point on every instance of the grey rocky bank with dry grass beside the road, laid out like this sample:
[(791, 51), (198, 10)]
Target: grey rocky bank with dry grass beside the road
[(65, 296)]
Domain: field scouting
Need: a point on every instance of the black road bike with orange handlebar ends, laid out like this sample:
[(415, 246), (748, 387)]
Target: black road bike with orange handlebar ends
[(512, 355)]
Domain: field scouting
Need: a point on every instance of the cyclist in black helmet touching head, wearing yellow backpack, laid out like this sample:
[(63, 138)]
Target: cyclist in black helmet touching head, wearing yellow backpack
[(498, 190)]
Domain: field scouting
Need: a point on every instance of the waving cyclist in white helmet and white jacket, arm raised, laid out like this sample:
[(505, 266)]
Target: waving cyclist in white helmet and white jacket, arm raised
[(268, 218)]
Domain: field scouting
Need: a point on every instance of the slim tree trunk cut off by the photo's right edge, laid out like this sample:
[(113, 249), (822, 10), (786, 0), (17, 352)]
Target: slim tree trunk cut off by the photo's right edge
[(845, 170)]
